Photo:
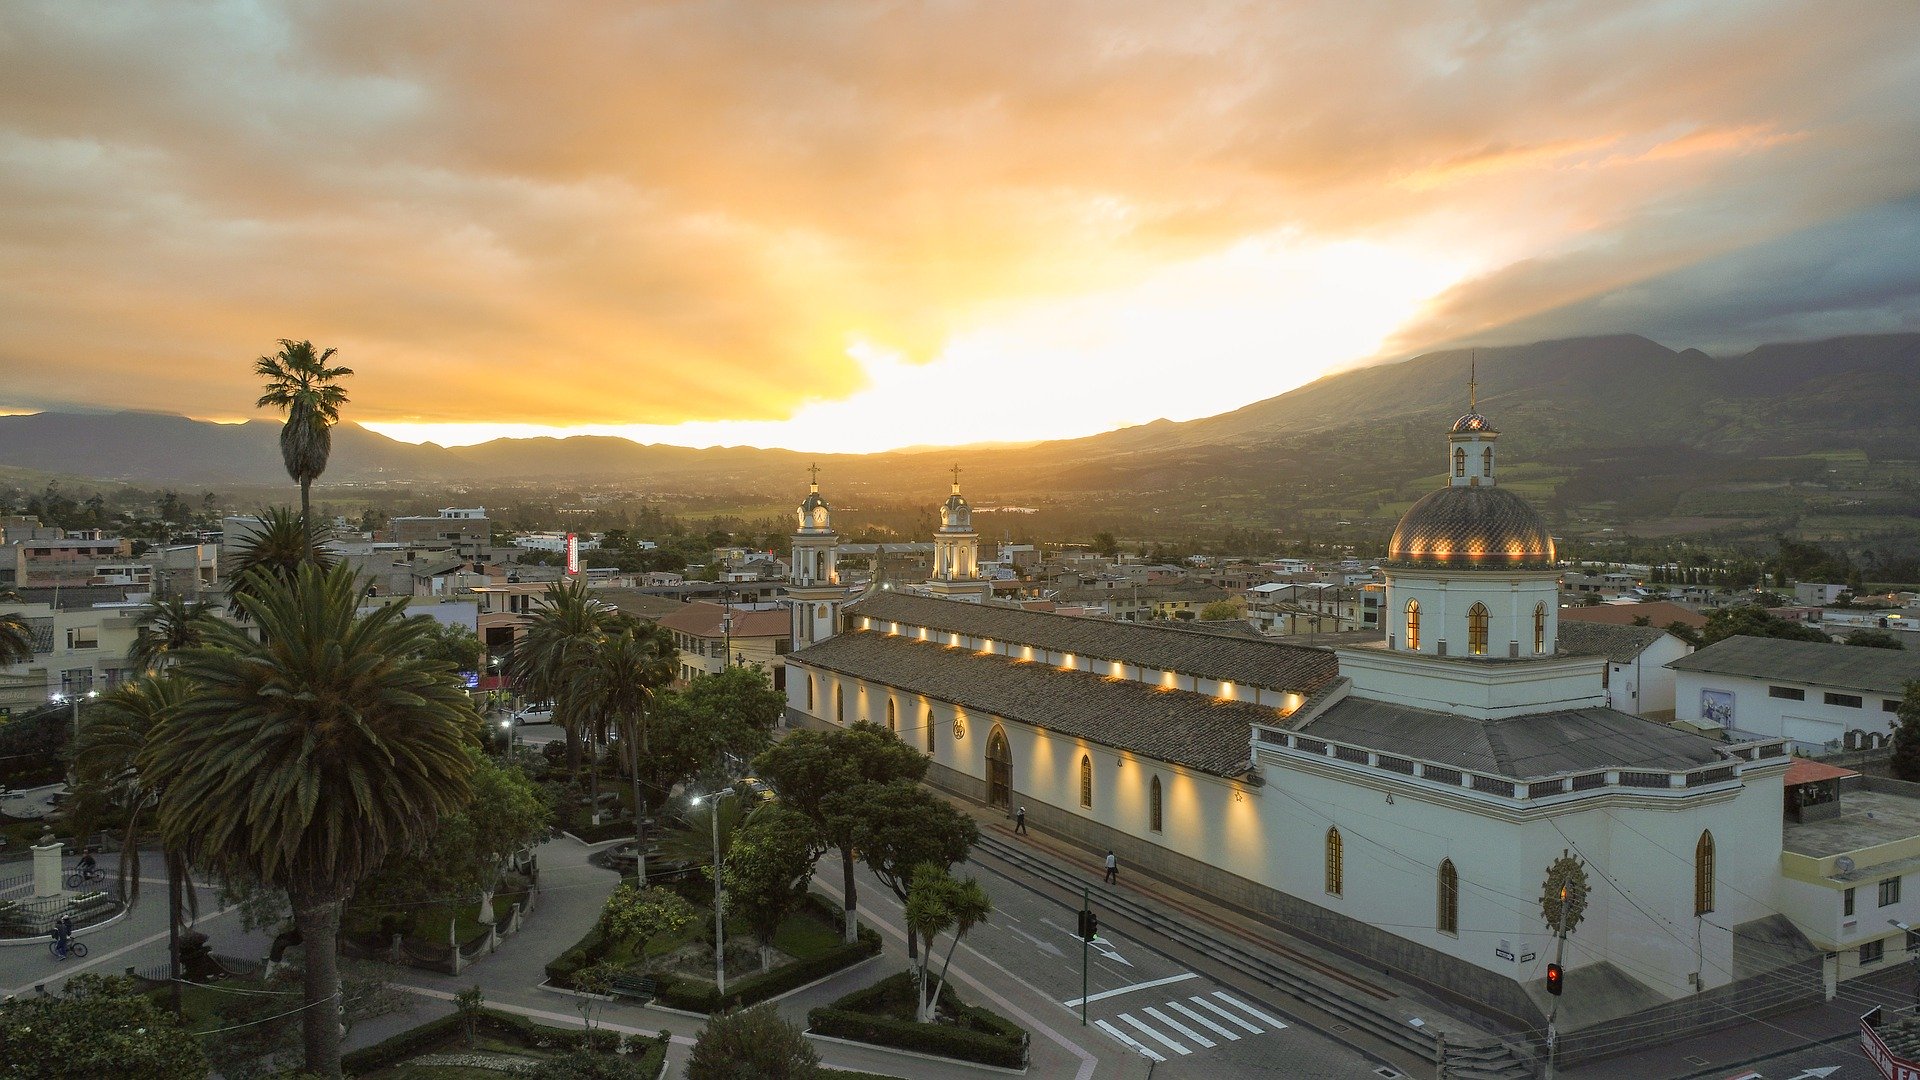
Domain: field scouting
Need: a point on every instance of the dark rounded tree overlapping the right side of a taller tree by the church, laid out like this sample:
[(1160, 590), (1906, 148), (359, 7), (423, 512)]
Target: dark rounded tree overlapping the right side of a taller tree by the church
[(900, 827)]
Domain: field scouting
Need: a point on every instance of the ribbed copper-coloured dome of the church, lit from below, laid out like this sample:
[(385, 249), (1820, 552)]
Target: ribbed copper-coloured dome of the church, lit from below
[(1472, 528)]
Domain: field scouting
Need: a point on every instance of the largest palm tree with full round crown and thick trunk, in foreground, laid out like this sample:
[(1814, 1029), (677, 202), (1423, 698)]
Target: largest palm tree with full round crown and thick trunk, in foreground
[(308, 756)]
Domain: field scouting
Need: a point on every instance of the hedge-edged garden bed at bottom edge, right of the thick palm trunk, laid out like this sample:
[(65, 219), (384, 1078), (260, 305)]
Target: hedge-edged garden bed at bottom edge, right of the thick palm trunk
[(498, 1035)]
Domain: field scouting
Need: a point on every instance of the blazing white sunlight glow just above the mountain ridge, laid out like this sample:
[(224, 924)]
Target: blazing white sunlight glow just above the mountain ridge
[(1260, 318)]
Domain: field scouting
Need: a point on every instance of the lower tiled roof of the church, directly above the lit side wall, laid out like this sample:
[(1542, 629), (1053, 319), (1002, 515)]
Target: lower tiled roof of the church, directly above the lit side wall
[(1170, 725)]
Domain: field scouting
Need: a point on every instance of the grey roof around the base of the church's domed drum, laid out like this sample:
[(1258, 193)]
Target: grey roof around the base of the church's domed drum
[(1535, 745)]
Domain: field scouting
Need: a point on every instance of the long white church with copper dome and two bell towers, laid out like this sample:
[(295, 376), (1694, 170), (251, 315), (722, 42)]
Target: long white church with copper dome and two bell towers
[(1422, 802)]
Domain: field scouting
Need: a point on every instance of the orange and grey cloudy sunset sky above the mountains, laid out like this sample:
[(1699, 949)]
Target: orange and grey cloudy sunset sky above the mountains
[(873, 226)]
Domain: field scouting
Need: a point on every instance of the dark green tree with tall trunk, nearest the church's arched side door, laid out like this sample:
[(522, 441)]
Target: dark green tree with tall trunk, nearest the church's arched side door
[(807, 768)]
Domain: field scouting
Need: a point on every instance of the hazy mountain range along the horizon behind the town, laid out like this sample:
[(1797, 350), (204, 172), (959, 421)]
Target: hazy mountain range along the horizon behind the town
[(1589, 422)]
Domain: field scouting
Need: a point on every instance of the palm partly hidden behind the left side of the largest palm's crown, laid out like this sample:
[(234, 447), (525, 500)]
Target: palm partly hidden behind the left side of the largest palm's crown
[(108, 775)]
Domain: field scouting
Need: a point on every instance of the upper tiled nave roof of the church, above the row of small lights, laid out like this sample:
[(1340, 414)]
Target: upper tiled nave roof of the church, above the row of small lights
[(1159, 647)]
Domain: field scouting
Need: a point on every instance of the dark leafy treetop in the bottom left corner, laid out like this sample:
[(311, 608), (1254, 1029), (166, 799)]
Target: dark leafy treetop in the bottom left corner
[(99, 1027)]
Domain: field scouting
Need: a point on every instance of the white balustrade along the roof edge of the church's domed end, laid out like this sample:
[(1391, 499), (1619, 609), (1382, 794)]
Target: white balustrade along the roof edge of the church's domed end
[(1641, 781)]
